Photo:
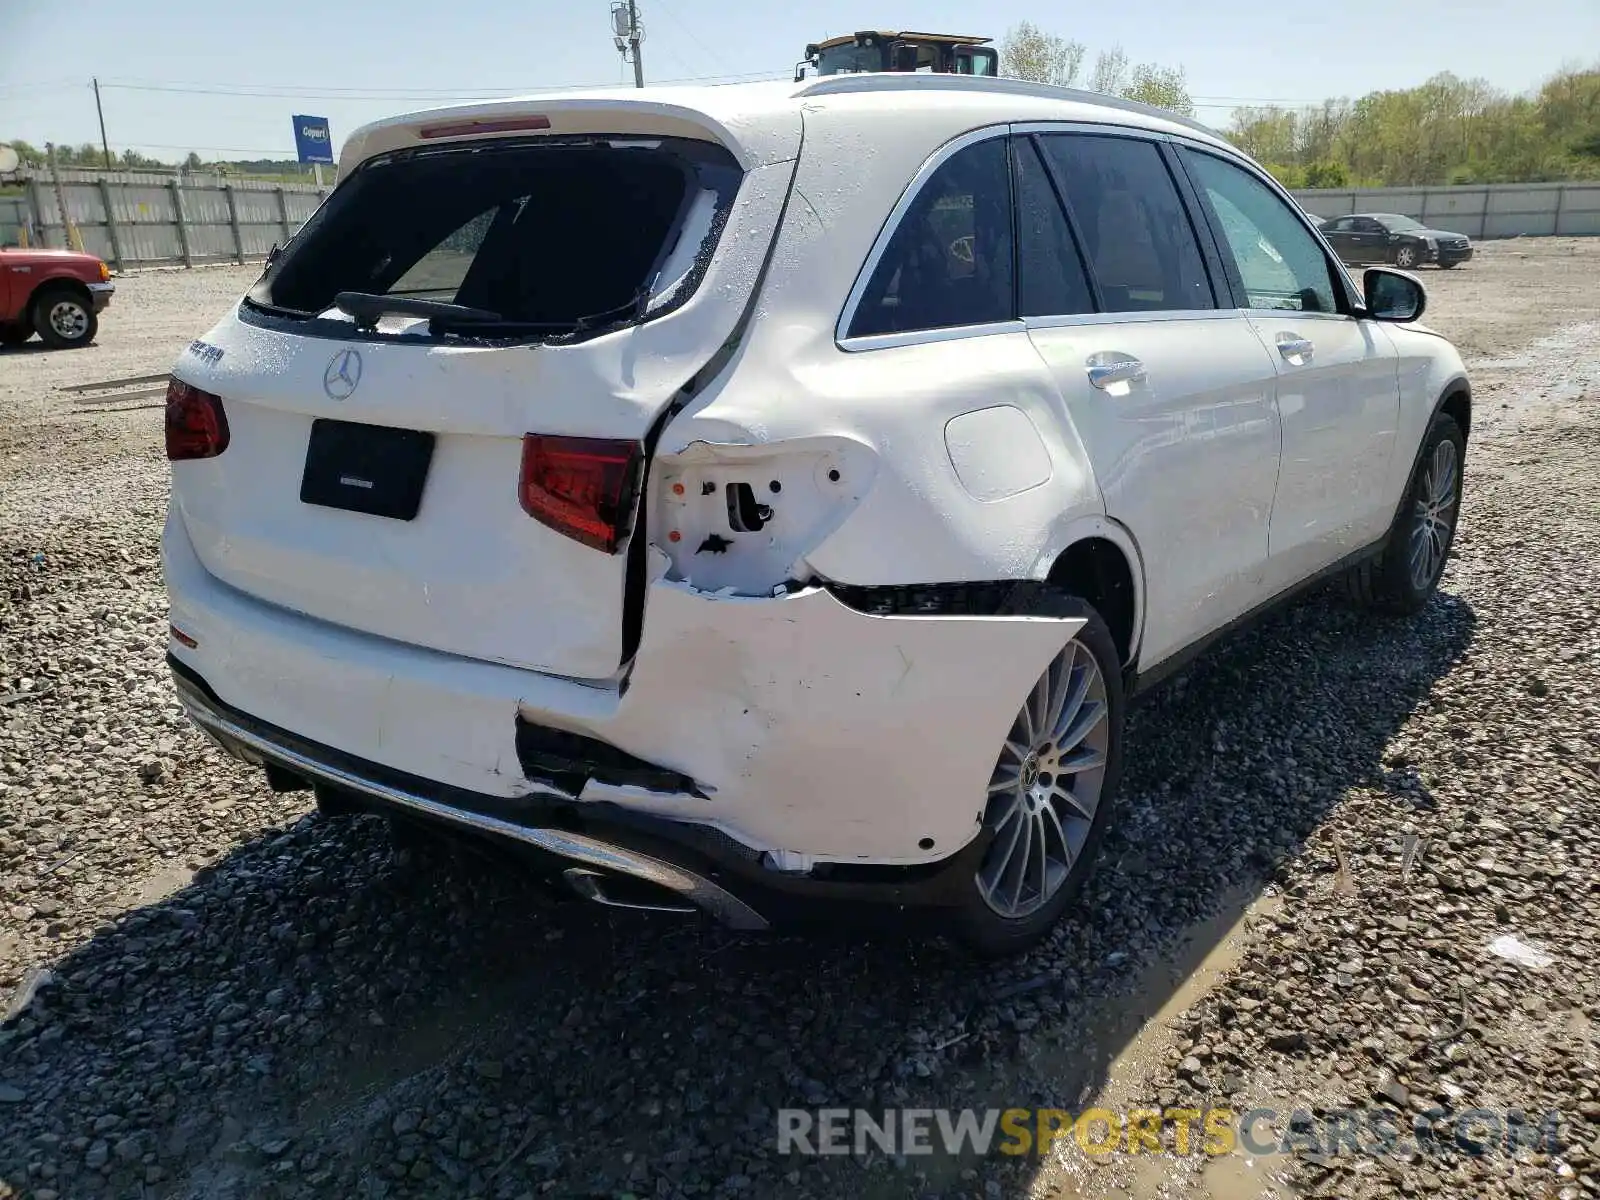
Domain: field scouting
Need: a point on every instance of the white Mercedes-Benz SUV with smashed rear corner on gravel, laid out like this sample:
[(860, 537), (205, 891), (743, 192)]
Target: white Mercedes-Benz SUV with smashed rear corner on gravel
[(764, 500)]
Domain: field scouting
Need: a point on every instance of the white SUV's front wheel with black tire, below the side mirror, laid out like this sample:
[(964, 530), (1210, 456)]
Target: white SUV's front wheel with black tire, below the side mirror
[(1394, 583)]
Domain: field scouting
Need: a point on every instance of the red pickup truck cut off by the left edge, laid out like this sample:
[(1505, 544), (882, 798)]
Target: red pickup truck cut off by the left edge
[(55, 294)]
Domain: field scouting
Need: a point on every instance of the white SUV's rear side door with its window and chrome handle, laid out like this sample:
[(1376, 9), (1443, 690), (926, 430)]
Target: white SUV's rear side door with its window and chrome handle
[(1185, 449)]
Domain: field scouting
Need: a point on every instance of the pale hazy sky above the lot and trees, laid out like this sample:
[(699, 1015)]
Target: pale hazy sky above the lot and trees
[(359, 60)]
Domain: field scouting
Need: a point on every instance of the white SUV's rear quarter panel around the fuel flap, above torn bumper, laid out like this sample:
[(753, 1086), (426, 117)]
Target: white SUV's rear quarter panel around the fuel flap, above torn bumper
[(790, 380)]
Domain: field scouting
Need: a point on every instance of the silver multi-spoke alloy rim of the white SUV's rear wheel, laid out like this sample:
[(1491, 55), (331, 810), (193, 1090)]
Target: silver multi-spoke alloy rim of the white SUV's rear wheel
[(1047, 786)]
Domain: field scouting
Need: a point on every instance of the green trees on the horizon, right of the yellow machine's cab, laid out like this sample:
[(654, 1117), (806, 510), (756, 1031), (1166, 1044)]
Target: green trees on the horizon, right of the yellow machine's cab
[(1447, 130)]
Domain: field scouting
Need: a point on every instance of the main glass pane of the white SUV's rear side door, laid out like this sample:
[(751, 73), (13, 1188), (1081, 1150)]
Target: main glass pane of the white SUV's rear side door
[(1135, 228)]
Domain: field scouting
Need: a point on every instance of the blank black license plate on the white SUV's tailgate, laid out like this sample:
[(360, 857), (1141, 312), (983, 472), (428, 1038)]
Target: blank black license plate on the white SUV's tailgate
[(367, 468)]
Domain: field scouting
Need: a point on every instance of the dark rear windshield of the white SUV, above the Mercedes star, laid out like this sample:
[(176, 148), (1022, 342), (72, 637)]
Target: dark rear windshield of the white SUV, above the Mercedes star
[(554, 239)]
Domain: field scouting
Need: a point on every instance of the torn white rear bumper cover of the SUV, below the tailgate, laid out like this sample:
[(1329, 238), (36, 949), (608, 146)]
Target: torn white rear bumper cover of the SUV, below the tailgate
[(791, 730)]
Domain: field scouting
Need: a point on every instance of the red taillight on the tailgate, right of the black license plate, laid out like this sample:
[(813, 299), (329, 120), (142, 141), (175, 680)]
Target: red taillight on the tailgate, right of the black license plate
[(580, 486)]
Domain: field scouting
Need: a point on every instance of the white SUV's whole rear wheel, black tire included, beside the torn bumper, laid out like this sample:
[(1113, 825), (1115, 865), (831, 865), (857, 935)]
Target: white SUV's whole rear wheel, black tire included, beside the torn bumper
[(1002, 914)]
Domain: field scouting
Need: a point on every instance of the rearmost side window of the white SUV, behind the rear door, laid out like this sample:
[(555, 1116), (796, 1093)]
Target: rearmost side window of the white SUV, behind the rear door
[(950, 260)]
